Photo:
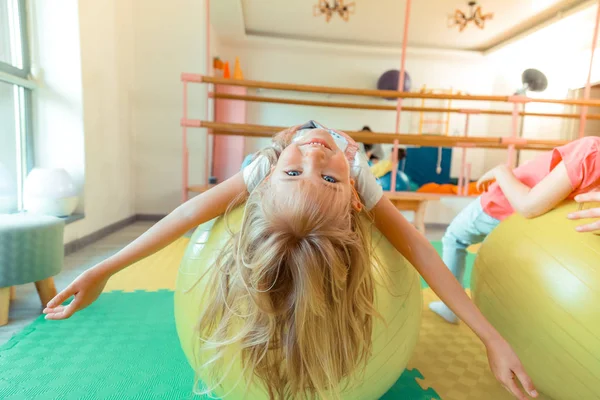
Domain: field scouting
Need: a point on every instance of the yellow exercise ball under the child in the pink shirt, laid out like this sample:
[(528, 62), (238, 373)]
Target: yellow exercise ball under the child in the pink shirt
[(538, 282)]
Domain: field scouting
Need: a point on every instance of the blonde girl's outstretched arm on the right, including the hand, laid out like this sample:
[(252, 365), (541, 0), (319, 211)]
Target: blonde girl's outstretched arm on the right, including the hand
[(421, 254)]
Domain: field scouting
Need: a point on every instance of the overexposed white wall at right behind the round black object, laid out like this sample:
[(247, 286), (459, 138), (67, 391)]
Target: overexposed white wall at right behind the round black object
[(561, 52)]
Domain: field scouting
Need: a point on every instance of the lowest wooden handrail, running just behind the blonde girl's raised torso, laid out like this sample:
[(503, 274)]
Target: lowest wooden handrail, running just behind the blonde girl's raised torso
[(259, 131)]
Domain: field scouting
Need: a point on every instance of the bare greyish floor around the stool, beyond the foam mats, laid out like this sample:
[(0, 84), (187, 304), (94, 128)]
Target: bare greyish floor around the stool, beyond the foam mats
[(26, 307)]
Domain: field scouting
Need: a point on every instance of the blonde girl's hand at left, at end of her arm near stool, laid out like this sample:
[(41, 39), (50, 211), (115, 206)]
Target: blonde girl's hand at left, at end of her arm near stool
[(86, 289)]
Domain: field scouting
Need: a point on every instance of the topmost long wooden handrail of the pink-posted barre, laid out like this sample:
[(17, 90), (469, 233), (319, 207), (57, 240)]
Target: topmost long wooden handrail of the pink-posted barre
[(377, 93)]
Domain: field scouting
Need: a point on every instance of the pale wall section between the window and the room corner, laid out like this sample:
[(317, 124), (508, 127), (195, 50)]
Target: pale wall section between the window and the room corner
[(84, 51)]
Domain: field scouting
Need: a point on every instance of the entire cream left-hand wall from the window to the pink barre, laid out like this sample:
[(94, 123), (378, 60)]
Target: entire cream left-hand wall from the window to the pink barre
[(110, 102)]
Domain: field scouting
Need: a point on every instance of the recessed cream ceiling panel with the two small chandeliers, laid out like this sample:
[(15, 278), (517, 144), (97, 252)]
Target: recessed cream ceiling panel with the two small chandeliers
[(381, 22)]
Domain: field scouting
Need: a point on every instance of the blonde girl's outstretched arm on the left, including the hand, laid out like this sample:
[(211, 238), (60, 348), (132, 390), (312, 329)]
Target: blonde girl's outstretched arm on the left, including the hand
[(202, 208)]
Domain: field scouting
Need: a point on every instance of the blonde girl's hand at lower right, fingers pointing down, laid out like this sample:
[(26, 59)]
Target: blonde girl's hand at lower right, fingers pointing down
[(507, 368)]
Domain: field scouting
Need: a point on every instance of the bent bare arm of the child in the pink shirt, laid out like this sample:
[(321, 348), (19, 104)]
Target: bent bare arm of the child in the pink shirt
[(543, 197)]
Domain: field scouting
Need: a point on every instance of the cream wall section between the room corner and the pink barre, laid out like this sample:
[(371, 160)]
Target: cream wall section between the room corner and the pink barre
[(169, 40)]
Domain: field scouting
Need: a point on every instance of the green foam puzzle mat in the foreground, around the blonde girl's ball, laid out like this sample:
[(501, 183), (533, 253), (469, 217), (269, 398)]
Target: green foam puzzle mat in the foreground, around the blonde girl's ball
[(124, 346)]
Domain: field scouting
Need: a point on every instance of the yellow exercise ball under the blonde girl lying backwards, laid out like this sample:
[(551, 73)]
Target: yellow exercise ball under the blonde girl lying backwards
[(398, 300)]
